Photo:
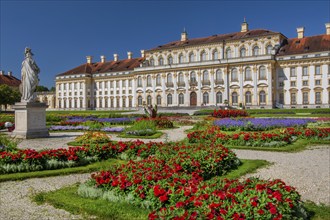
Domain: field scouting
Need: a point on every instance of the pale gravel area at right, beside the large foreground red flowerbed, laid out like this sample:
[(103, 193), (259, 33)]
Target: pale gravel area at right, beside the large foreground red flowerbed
[(308, 171)]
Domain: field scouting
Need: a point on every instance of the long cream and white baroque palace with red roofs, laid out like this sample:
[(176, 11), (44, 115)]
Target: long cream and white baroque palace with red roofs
[(251, 68)]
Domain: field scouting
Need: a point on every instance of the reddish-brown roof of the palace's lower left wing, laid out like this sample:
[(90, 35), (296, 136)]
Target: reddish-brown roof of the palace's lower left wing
[(100, 67)]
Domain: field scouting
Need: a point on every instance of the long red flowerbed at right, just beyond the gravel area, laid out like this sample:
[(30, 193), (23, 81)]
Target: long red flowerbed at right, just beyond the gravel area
[(276, 138)]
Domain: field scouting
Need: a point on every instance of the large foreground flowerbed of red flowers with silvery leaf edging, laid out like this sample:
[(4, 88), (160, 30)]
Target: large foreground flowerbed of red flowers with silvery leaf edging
[(182, 182)]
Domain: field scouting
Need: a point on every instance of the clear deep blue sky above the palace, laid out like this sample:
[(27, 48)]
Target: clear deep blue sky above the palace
[(62, 33)]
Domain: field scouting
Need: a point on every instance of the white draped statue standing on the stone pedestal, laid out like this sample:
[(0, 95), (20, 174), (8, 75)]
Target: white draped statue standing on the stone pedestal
[(30, 79)]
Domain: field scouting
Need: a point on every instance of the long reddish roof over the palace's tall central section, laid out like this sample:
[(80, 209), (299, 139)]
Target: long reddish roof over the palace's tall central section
[(216, 38)]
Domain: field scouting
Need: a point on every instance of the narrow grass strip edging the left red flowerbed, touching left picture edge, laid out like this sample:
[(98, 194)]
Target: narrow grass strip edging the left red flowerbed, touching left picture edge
[(102, 165)]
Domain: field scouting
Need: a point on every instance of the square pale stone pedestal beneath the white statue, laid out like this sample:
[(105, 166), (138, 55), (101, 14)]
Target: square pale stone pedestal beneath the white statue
[(30, 120)]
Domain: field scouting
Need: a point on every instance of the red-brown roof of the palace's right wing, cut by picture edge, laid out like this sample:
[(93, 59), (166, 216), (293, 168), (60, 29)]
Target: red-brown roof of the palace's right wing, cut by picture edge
[(310, 44)]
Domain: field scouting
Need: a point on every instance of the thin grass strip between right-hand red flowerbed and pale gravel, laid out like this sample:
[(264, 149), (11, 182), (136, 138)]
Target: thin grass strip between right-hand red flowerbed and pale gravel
[(298, 145)]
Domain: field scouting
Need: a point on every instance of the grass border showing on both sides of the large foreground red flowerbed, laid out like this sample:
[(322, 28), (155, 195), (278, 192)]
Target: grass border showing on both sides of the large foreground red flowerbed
[(68, 199)]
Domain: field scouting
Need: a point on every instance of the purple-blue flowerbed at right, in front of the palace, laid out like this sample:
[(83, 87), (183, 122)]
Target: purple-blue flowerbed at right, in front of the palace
[(260, 124)]
